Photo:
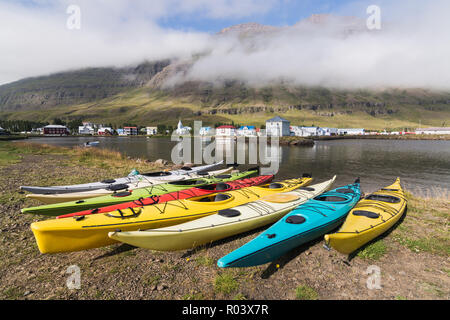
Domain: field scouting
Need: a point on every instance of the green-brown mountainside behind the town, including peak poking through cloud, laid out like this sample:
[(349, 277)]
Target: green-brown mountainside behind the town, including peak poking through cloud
[(157, 92)]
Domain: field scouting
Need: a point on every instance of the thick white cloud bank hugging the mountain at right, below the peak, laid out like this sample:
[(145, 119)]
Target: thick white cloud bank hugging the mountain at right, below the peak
[(410, 51)]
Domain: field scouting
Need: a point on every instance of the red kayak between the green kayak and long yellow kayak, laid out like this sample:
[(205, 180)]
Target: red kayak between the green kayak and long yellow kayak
[(177, 195)]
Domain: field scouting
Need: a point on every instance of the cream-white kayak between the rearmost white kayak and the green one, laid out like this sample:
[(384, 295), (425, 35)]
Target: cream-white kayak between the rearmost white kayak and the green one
[(74, 196)]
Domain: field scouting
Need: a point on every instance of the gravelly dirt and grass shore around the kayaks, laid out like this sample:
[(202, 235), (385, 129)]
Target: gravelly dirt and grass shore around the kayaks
[(408, 269)]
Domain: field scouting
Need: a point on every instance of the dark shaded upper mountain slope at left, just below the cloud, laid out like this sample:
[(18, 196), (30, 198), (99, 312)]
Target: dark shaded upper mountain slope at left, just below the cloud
[(73, 87)]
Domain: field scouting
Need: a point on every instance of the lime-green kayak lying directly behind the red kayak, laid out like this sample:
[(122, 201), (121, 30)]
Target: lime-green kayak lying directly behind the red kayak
[(132, 195)]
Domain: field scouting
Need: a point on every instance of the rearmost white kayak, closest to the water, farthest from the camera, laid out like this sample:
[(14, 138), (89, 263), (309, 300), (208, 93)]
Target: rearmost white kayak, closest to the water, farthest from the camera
[(153, 177)]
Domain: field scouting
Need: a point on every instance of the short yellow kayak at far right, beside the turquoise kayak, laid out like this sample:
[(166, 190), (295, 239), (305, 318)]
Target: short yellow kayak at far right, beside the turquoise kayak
[(371, 217)]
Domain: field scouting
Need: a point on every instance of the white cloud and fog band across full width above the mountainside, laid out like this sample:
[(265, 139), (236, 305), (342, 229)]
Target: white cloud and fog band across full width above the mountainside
[(336, 51)]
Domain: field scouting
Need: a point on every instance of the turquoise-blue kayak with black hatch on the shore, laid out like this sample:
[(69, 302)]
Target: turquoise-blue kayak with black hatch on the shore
[(308, 221)]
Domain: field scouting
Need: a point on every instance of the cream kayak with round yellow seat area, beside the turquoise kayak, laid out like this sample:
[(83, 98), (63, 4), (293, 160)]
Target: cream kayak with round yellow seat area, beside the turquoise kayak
[(224, 223)]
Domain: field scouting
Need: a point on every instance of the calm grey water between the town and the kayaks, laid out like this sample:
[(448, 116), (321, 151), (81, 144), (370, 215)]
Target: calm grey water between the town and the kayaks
[(422, 165)]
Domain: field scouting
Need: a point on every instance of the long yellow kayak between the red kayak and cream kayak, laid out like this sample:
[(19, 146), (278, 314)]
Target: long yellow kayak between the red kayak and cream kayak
[(73, 234)]
